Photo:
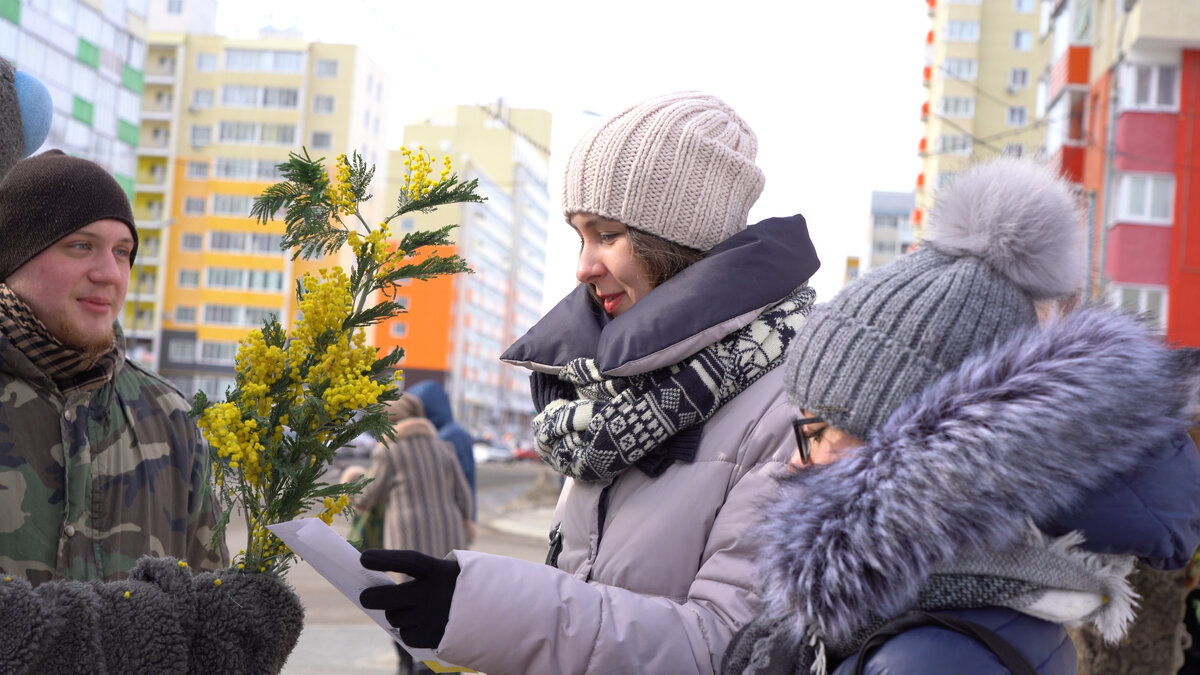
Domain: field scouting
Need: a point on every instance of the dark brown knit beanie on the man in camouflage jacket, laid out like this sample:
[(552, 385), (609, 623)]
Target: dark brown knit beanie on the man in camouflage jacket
[(49, 196)]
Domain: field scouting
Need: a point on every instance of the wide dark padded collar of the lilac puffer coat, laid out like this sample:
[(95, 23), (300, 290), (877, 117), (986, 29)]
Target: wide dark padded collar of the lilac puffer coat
[(706, 302)]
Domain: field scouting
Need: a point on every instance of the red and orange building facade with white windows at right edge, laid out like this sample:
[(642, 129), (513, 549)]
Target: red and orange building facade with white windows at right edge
[(1123, 105)]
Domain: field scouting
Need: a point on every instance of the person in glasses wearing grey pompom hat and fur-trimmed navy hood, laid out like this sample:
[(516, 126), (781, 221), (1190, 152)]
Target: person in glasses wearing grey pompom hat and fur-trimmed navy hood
[(968, 481)]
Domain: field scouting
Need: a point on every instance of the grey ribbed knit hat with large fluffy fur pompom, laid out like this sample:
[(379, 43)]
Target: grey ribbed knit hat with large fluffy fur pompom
[(1000, 237)]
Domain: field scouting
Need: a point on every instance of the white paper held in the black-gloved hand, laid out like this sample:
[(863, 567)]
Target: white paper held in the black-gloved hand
[(338, 561)]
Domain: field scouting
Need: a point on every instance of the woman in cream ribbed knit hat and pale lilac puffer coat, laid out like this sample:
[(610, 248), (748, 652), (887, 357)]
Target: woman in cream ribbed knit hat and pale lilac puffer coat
[(659, 399)]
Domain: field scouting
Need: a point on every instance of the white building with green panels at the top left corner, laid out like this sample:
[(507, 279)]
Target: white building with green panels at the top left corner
[(92, 57)]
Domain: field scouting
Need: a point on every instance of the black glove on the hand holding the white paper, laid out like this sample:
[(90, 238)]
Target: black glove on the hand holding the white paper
[(421, 608)]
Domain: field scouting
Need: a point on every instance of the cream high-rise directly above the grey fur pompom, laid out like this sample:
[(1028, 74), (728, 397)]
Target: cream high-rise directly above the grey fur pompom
[(983, 58)]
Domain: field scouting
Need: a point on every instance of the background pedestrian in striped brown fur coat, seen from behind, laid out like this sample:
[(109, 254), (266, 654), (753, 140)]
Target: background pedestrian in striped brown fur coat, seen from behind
[(428, 505)]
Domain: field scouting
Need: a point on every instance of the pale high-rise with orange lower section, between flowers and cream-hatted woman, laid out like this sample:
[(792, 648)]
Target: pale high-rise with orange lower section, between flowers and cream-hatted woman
[(458, 327)]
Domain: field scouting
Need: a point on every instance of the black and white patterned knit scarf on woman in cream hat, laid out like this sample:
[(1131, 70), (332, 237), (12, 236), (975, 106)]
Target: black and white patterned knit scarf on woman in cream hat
[(621, 422)]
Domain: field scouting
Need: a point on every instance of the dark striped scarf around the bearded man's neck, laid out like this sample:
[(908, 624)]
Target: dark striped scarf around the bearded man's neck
[(70, 369)]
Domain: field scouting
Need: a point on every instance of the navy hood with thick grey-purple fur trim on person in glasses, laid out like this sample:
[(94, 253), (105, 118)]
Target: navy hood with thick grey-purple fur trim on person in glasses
[(1057, 422)]
